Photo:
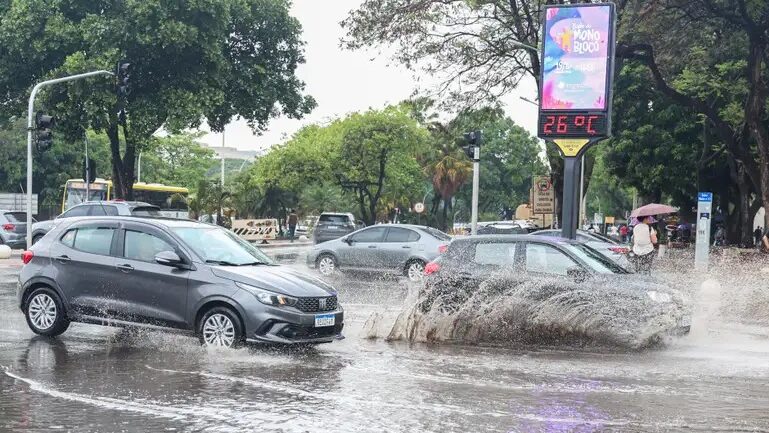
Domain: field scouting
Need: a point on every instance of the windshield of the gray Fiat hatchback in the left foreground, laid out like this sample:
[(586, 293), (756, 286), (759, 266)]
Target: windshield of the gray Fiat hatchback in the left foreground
[(219, 246)]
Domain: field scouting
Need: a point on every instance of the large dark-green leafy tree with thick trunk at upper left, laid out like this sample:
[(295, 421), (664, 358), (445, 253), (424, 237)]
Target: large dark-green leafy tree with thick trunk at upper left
[(193, 61)]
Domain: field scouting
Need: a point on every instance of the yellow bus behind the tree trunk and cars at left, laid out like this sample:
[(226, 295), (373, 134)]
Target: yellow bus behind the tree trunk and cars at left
[(172, 200)]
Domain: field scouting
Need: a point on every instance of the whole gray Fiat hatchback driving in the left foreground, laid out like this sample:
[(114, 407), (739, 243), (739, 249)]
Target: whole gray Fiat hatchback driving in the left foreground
[(174, 274)]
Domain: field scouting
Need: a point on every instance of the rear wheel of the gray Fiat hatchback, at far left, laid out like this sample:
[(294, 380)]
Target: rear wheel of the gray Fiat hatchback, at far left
[(45, 313)]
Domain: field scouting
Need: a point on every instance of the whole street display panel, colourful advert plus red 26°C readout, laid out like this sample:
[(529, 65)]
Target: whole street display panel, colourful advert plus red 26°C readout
[(577, 71)]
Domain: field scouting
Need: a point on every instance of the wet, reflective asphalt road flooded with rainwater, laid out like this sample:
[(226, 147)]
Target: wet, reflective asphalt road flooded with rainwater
[(95, 379)]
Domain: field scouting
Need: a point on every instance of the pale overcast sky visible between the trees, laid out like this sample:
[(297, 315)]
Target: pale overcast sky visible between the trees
[(345, 81)]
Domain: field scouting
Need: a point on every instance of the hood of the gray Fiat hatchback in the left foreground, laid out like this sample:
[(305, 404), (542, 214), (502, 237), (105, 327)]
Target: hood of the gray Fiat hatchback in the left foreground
[(275, 279)]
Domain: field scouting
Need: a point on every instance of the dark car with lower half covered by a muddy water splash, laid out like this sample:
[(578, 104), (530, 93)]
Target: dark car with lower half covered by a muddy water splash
[(545, 272)]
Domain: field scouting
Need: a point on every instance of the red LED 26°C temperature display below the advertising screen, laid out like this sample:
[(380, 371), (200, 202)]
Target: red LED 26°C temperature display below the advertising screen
[(572, 125)]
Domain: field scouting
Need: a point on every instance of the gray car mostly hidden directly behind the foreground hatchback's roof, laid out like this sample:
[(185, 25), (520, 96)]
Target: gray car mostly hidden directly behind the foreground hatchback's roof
[(96, 209)]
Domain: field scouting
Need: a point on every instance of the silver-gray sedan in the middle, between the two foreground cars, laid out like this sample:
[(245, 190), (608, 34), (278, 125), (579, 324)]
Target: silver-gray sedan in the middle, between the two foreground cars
[(401, 249)]
